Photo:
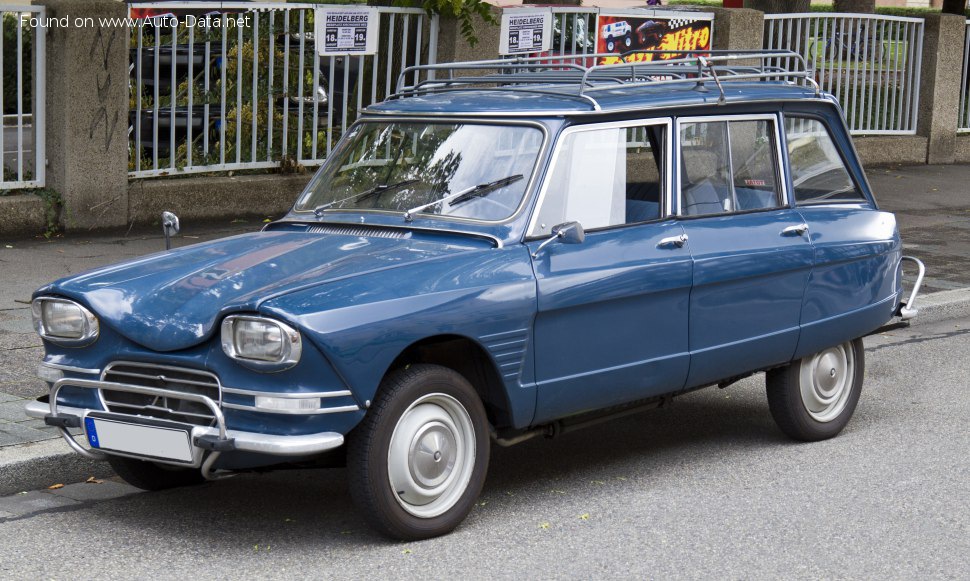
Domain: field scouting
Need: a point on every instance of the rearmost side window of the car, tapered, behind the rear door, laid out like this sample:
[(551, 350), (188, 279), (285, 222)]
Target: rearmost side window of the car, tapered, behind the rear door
[(817, 171)]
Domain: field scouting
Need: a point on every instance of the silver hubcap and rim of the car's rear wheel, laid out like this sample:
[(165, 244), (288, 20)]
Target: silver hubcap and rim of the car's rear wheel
[(826, 382)]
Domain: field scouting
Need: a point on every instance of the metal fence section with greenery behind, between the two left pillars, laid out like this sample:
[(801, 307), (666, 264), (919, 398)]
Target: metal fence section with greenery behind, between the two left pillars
[(214, 97)]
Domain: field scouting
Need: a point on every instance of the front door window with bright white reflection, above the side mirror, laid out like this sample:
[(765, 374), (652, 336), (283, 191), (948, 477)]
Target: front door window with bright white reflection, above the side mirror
[(605, 177)]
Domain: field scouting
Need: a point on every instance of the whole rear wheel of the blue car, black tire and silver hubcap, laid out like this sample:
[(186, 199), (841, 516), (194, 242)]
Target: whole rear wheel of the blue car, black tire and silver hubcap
[(813, 398)]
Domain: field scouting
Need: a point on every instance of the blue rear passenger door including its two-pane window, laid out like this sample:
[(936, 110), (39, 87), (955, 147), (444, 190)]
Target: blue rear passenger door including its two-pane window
[(752, 256)]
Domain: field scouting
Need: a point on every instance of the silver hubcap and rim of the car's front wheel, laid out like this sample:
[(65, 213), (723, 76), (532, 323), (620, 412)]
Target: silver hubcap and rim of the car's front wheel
[(431, 455)]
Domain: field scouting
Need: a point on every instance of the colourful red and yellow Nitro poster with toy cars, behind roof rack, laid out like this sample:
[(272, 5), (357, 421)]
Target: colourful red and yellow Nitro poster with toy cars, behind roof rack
[(627, 31)]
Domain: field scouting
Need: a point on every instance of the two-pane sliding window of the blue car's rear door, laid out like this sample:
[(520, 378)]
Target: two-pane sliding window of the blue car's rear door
[(728, 166)]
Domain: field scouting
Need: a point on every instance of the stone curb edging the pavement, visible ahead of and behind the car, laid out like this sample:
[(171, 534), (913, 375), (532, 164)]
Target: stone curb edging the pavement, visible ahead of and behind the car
[(41, 464)]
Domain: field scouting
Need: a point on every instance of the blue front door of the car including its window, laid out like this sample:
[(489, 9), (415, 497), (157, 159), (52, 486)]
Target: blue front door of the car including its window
[(612, 313)]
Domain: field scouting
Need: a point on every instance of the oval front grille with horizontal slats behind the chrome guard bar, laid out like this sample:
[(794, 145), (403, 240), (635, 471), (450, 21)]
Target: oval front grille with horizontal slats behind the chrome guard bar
[(165, 377)]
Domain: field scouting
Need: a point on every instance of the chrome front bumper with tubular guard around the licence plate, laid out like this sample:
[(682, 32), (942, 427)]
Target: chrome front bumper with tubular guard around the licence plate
[(215, 439)]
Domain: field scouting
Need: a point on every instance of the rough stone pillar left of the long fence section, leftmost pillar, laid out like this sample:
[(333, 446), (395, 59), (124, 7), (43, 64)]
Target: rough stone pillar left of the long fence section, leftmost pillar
[(87, 111)]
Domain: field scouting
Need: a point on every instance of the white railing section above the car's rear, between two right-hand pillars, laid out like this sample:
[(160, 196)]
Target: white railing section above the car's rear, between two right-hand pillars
[(870, 63)]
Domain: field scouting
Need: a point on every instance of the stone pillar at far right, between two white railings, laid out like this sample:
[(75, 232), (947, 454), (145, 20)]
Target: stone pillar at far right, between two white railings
[(939, 87)]
